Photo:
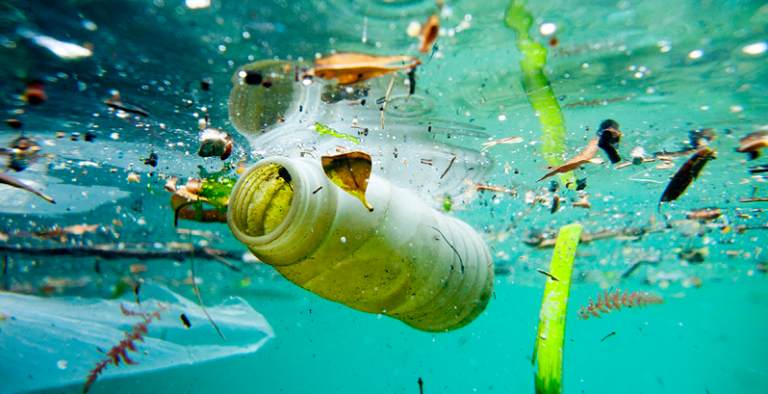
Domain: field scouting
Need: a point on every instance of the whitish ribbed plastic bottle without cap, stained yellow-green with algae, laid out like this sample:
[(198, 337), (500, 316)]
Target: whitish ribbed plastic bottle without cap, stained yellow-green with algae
[(404, 260)]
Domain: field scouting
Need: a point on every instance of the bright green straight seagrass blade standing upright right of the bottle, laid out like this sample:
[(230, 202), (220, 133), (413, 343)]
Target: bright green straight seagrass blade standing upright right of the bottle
[(551, 334)]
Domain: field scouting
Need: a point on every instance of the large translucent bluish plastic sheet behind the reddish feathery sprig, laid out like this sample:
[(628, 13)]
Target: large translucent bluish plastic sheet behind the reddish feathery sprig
[(74, 328)]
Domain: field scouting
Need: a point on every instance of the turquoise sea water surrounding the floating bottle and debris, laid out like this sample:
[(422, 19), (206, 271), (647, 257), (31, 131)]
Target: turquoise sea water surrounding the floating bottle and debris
[(660, 69)]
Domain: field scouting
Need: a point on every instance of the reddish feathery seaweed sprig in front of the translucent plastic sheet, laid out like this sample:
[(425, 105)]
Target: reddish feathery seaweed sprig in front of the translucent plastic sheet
[(120, 351)]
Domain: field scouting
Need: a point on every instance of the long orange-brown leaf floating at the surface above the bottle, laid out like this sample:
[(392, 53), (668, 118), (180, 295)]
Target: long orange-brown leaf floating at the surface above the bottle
[(349, 68)]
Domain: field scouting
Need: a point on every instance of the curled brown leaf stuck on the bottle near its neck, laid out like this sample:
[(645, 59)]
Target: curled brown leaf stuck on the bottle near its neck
[(350, 171)]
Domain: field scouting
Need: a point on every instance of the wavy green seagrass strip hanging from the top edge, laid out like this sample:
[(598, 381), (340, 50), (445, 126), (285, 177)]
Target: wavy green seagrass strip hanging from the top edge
[(537, 87)]
